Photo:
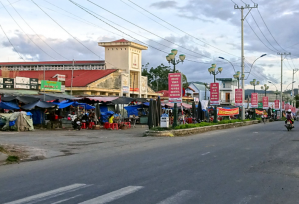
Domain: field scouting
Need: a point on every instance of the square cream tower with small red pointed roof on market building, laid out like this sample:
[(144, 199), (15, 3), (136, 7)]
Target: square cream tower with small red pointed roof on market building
[(127, 57)]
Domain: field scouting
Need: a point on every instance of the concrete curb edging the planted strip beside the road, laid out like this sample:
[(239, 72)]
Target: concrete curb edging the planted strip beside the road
[(190, 131)]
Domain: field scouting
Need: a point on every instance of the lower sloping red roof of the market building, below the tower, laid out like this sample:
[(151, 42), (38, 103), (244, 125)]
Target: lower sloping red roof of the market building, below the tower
[(81, 77)]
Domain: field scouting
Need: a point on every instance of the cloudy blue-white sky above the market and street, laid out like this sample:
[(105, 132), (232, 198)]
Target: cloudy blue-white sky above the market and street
[(202, 30)]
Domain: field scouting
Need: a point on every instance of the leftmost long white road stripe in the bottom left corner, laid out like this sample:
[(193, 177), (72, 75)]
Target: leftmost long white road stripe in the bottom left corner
[(58, 191)]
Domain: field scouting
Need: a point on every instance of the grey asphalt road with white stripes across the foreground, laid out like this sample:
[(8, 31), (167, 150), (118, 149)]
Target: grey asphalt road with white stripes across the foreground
[(253, 164)]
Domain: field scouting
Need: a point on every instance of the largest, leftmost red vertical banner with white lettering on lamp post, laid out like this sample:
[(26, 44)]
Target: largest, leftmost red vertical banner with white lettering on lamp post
[(175, 87)]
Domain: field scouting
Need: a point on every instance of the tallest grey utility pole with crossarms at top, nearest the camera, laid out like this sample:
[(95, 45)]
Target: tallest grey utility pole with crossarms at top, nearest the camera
[(247, 6)]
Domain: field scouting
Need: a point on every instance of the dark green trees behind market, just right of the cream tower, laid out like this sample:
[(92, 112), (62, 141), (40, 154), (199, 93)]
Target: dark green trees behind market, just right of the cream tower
[(158, 77)]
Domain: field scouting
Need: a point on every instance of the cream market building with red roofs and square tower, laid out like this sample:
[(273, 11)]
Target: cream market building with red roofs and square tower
[(118, 75)]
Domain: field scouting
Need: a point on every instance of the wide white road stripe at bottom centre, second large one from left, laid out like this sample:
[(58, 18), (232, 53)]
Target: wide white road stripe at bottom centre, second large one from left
[(113, 195)]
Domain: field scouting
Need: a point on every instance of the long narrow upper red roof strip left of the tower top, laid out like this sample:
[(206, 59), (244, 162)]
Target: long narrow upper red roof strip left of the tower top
[(52, 63)]
